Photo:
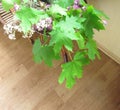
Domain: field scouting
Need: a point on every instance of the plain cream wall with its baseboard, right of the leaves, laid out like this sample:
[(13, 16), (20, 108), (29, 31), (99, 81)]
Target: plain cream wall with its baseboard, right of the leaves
[(109, 40)]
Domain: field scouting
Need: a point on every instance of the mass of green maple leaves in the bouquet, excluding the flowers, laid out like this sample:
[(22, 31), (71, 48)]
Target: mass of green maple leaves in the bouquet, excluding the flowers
[(69, 25)]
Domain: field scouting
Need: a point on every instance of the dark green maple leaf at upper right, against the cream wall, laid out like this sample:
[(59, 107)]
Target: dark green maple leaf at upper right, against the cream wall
[(93, 21)]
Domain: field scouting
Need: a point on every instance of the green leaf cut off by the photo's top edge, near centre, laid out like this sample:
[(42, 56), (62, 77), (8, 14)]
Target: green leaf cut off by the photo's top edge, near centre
[(64, 3)]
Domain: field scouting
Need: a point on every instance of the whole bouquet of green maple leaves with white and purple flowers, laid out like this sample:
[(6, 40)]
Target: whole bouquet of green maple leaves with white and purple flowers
[(66, 30)]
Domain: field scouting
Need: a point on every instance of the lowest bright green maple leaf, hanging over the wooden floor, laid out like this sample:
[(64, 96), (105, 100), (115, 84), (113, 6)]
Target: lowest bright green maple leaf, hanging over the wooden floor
[(70, 71)]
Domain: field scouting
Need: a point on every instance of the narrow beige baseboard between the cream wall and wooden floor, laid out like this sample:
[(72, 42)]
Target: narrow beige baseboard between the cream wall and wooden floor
[(109, 53)]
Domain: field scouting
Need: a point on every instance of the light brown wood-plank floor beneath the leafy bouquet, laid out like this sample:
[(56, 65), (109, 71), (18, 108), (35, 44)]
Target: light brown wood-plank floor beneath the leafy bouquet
[(25, 85)]
